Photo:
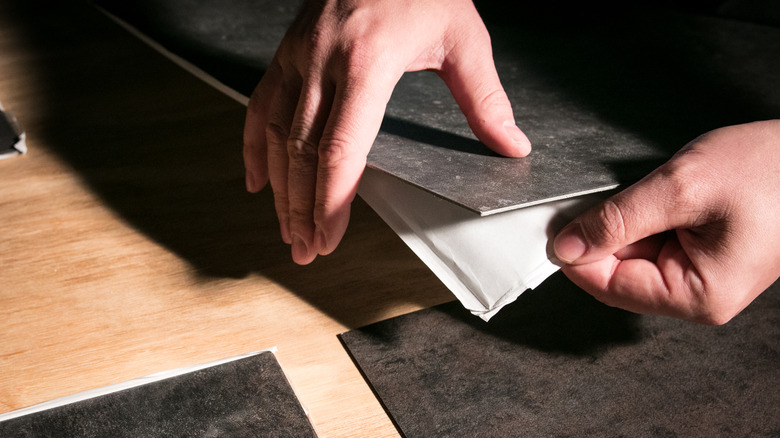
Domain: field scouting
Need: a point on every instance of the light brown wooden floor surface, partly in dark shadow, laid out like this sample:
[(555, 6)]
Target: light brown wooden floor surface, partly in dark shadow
[(129, 245)]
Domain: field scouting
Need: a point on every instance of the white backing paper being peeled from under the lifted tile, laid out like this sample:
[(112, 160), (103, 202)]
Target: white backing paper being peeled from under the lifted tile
[(486, 261)]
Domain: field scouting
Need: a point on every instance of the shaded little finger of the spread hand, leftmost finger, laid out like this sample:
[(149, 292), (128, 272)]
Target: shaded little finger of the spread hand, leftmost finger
[(255, 145)]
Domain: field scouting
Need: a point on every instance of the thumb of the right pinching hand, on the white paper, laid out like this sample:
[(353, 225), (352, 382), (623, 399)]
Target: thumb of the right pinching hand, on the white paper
[(658, 203)]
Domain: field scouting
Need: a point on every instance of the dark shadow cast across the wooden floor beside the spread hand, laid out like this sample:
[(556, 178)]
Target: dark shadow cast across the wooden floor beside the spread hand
[(162, 150)]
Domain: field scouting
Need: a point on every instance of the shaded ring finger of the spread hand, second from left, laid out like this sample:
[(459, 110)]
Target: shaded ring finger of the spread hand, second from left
[(277, 132)]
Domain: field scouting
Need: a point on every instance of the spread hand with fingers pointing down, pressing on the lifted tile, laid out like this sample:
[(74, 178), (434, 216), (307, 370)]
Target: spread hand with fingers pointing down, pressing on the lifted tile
[(314, 115)]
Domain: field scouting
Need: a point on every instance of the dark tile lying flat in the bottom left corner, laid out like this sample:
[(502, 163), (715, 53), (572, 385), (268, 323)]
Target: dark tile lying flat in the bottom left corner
[(243, 398)]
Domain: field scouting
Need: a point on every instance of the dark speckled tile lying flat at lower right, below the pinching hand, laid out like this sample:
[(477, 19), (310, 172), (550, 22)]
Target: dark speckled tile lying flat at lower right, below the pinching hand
[(557, 363)]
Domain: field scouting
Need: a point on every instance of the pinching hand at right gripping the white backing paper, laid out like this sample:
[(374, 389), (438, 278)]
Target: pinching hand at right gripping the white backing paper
[(697, 239)]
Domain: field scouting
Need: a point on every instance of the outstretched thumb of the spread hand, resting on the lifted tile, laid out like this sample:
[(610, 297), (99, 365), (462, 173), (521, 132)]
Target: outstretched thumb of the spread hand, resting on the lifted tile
[(470, 73)]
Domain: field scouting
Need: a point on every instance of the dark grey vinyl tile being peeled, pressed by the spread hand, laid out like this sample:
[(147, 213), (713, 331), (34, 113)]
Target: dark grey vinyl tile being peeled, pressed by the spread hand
[(605, 93)]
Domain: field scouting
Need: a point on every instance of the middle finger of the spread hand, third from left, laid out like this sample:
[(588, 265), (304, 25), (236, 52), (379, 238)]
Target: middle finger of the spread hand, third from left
[(311, 115)]
